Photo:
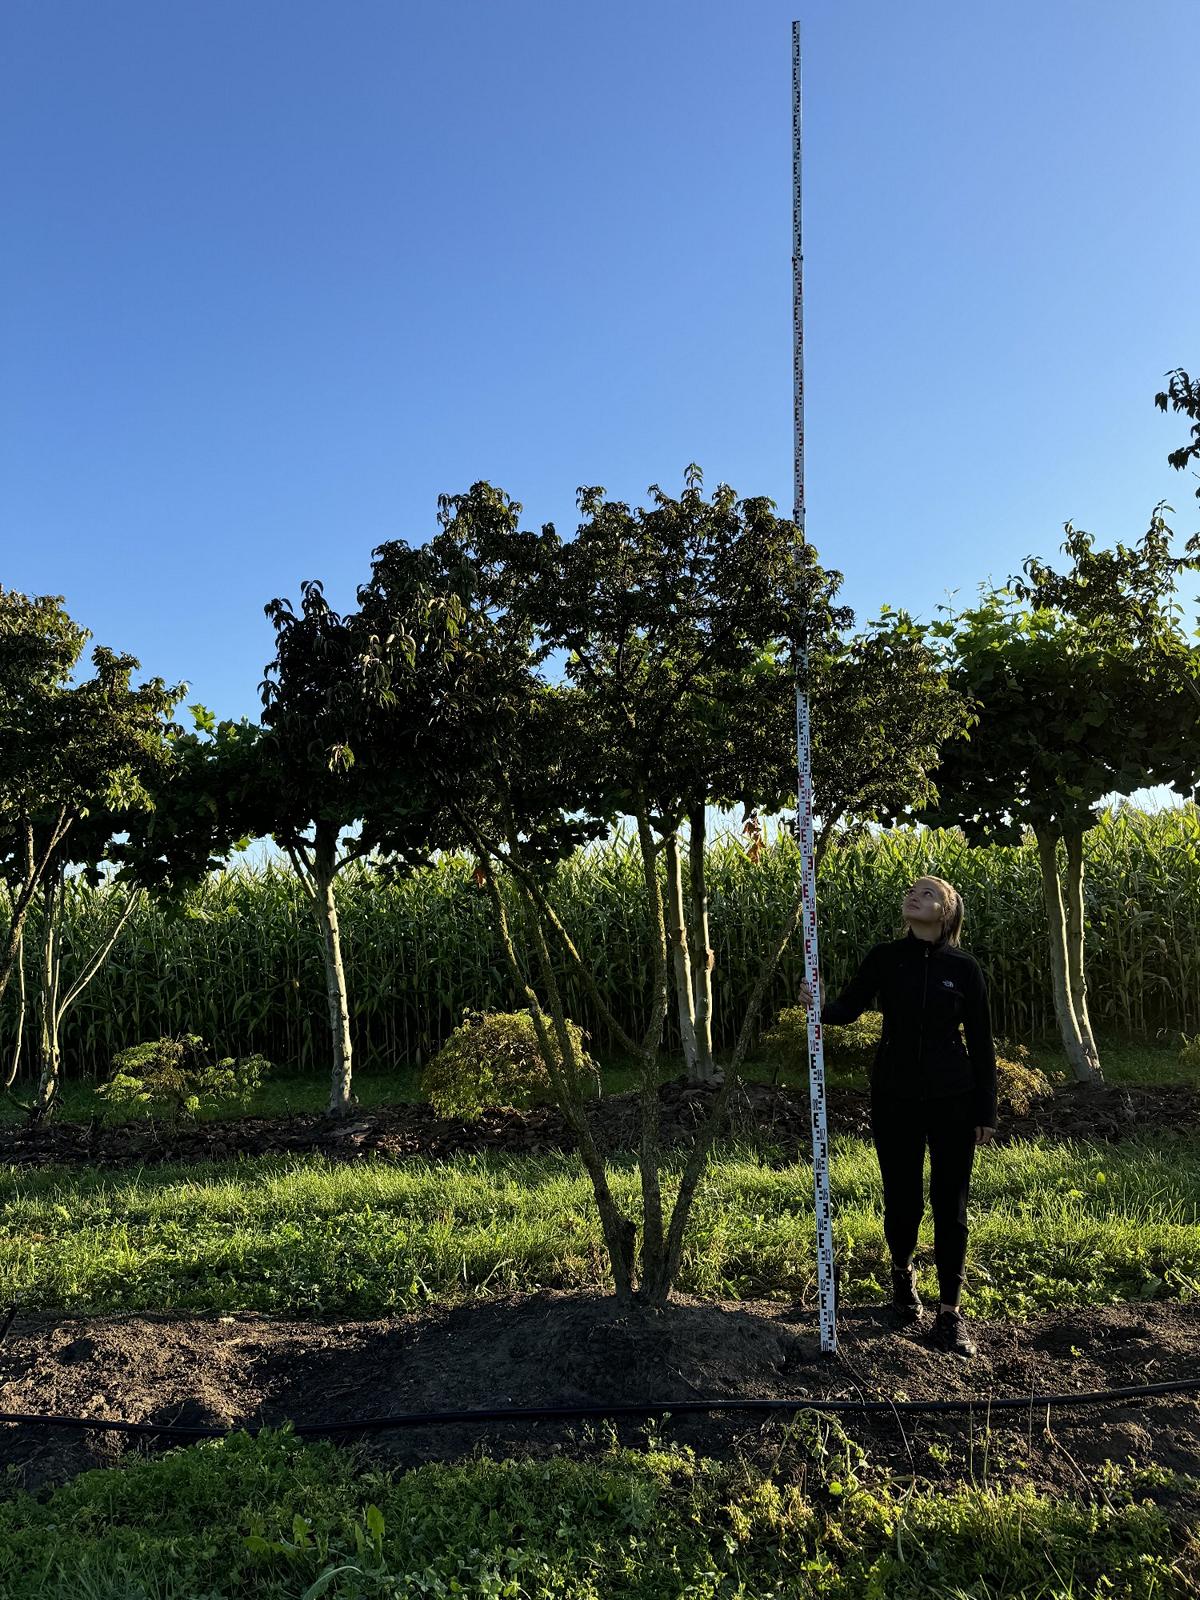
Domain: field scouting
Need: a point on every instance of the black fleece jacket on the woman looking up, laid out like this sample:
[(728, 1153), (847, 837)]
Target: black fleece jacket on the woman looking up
[(930, 996)]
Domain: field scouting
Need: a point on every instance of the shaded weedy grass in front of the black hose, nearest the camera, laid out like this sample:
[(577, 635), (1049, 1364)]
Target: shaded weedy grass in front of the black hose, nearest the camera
[(273, 1518)]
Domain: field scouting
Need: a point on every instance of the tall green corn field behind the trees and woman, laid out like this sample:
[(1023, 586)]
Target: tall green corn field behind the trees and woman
[(241, 961)]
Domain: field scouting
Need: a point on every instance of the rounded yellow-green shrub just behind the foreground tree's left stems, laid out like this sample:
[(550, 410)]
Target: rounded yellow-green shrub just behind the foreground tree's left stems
[(494, 1060)]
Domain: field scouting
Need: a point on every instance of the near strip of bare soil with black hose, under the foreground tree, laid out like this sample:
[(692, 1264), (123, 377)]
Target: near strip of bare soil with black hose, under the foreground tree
[(558, 1348)]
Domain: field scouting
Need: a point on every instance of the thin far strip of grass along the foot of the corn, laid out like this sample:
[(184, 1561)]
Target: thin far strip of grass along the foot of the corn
[(1126, 1063)]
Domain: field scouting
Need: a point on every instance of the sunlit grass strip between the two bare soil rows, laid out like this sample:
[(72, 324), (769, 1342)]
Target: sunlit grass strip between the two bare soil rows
[(1052, 1225)]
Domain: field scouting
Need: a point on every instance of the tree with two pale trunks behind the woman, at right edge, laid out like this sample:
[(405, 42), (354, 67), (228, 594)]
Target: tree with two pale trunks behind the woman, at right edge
[(1082, 684)]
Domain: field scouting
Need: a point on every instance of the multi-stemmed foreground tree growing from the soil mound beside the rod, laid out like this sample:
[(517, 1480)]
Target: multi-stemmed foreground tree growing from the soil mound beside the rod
[(674, 625)]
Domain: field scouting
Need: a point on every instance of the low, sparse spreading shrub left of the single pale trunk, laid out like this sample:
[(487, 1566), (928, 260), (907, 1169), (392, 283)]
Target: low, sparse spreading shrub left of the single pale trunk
[(178, 1078)]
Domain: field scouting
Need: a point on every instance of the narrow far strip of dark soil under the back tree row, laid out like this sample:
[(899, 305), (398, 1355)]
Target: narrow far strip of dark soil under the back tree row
[(777, 1118)]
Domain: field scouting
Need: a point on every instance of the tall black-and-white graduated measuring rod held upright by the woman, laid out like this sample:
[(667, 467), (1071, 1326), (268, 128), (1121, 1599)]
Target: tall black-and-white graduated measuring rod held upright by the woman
[(804, 810)]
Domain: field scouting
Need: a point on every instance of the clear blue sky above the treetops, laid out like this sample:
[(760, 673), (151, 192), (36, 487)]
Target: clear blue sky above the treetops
[(279, 273)]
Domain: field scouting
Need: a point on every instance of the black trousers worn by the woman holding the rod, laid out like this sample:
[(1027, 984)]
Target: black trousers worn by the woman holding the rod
[(902, 1130)]
